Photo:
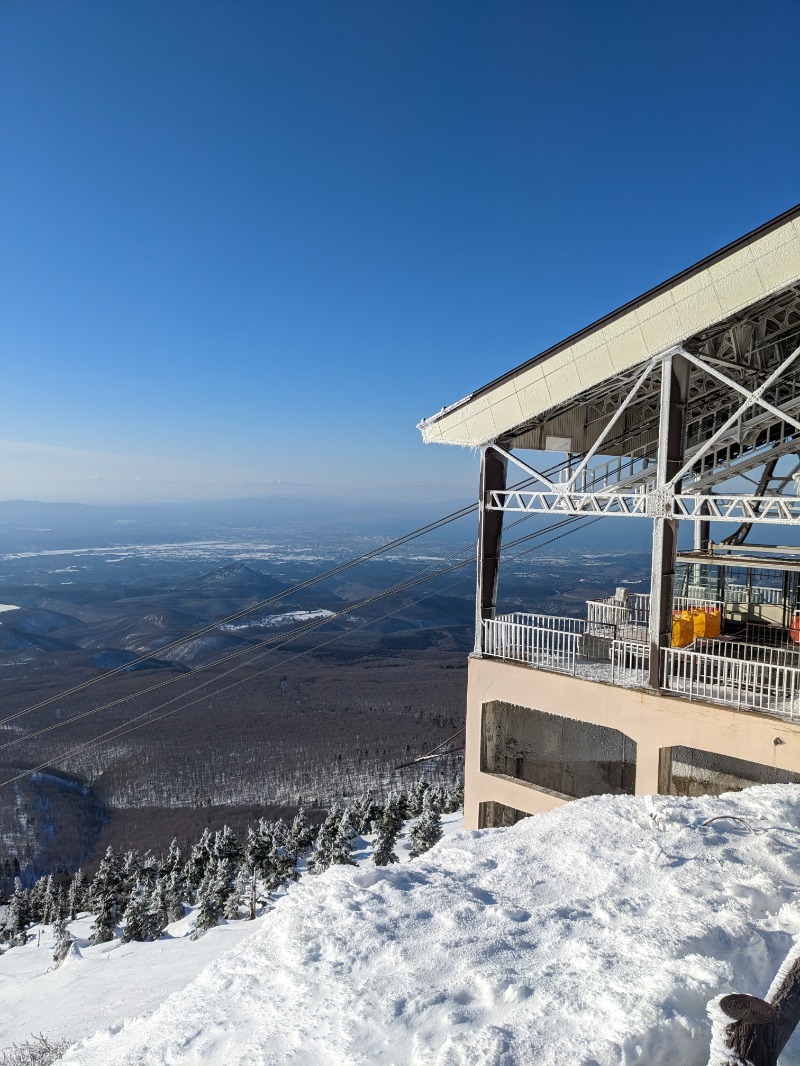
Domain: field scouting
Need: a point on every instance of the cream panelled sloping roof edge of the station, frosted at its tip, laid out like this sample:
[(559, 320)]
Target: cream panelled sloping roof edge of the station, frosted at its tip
[(745, 274)]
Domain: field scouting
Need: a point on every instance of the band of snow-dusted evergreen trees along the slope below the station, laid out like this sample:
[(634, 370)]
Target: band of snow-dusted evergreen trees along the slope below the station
[(137, 896)]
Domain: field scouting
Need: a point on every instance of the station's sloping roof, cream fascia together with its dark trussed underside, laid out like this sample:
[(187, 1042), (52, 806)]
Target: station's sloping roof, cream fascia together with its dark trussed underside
[(740, 309)]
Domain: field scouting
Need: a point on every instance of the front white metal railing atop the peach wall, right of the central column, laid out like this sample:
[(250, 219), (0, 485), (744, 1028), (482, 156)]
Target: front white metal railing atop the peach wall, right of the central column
[(737, 683)]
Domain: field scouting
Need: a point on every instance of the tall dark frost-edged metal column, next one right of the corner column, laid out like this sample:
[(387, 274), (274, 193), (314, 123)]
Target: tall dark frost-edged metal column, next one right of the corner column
[(675, 392)]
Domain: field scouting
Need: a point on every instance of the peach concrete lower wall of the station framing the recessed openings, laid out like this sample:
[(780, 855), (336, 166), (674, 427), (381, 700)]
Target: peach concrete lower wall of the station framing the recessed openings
[(654, 723)]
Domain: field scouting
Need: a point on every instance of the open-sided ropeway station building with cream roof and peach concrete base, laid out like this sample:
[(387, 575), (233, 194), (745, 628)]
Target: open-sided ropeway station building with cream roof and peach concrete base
[(681, 410)]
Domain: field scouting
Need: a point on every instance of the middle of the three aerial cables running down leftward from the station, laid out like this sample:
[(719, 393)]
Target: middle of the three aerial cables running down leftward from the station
[(278, 641)]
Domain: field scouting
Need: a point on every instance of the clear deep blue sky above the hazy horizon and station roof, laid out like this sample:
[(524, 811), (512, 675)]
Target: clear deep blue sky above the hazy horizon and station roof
[(247, 245)]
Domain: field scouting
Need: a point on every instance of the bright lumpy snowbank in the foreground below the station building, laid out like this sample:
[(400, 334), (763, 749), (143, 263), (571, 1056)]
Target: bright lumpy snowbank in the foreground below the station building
[(594, 935)]
